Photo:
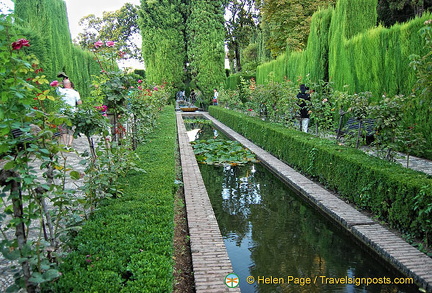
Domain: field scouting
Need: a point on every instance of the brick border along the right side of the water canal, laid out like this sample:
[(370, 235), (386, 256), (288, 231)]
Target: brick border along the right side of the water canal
[(393, 249)]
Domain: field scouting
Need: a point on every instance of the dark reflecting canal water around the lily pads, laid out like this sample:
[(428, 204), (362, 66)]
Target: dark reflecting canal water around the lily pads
[(279, 243)]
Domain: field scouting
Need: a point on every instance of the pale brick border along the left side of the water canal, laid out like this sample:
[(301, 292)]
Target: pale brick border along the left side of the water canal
[(210, 260)]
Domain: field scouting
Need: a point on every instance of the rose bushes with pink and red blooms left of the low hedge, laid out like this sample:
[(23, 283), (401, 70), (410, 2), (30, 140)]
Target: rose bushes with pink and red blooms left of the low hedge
[(40, 216)]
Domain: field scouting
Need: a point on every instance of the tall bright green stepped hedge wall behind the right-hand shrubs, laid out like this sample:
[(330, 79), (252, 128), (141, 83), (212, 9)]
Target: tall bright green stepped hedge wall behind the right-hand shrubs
[(346, 47)]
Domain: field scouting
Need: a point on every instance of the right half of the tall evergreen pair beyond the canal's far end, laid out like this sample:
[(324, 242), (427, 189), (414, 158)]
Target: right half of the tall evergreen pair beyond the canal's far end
[(206, 36)]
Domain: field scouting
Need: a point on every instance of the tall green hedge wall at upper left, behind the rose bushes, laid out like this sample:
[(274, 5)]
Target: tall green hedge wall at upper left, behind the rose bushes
[(45, 24)]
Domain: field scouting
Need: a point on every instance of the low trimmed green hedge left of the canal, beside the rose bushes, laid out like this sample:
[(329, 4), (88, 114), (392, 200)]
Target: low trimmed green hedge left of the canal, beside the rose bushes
[(127, 246)]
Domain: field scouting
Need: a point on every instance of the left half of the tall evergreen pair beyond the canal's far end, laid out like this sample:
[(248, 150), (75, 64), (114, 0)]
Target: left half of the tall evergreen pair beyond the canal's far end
[(162, 25)]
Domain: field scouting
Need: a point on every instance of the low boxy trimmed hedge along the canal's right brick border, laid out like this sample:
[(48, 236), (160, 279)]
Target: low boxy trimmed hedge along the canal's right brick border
[(400, 196)]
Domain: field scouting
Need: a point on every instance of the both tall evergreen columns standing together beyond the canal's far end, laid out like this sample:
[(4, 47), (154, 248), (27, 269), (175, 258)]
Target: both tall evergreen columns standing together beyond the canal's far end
[(184, 39)]
